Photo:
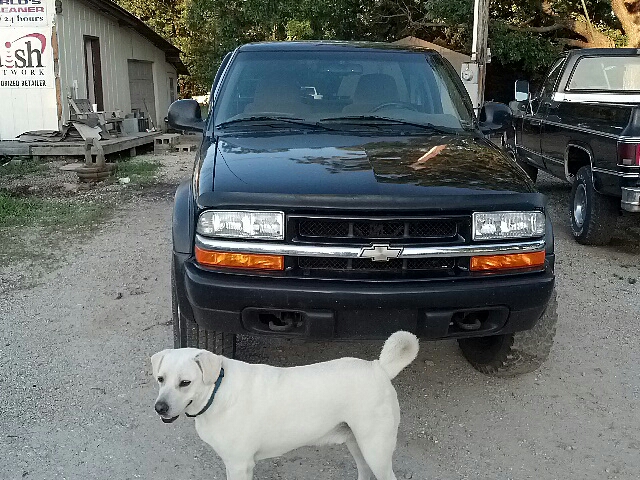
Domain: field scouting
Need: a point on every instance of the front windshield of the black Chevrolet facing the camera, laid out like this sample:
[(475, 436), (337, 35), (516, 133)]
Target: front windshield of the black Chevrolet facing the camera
[(315, 86)]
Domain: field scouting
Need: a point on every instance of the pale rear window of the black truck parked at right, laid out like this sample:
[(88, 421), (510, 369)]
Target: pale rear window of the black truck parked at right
[(613, 74)]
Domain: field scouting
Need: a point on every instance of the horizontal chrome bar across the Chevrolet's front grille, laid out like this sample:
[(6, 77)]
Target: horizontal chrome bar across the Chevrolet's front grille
[(348, 251)]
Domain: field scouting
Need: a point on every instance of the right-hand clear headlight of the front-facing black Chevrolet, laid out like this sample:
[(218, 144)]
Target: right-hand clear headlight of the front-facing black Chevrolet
[(505, 225)]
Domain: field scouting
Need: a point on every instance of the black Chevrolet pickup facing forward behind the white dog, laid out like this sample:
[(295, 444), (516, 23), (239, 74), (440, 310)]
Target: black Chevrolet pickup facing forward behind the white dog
[(346, 191)]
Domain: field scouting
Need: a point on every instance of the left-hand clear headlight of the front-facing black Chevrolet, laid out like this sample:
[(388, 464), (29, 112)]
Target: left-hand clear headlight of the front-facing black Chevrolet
[(241, 224)]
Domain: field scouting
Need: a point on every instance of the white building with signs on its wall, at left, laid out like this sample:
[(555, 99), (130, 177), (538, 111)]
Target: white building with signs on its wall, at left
[(51, 50)]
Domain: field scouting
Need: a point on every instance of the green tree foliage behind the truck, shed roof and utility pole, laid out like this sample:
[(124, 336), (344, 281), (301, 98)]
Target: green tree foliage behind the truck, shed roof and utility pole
[(526, 34)]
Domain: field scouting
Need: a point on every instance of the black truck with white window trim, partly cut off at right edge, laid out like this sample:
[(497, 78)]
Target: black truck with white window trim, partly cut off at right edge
[(583, 126)]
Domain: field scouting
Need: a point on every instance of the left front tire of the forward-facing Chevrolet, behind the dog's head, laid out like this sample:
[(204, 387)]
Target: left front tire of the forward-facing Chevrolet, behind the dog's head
[(187, 332)]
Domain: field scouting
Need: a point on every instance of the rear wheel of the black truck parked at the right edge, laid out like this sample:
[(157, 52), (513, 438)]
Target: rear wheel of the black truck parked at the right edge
[(593, 216)]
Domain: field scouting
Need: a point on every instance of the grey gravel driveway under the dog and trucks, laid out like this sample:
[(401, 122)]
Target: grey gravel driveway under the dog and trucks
[(76, 395)]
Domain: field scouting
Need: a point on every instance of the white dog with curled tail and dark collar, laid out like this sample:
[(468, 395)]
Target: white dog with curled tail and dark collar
[(251, 412)]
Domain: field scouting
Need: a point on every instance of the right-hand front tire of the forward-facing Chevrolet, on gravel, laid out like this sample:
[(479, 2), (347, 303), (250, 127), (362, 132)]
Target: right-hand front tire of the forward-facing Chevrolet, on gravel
[(515, 353)]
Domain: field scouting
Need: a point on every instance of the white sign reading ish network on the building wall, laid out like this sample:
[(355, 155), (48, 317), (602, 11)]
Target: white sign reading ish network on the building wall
[(26, 59)]
